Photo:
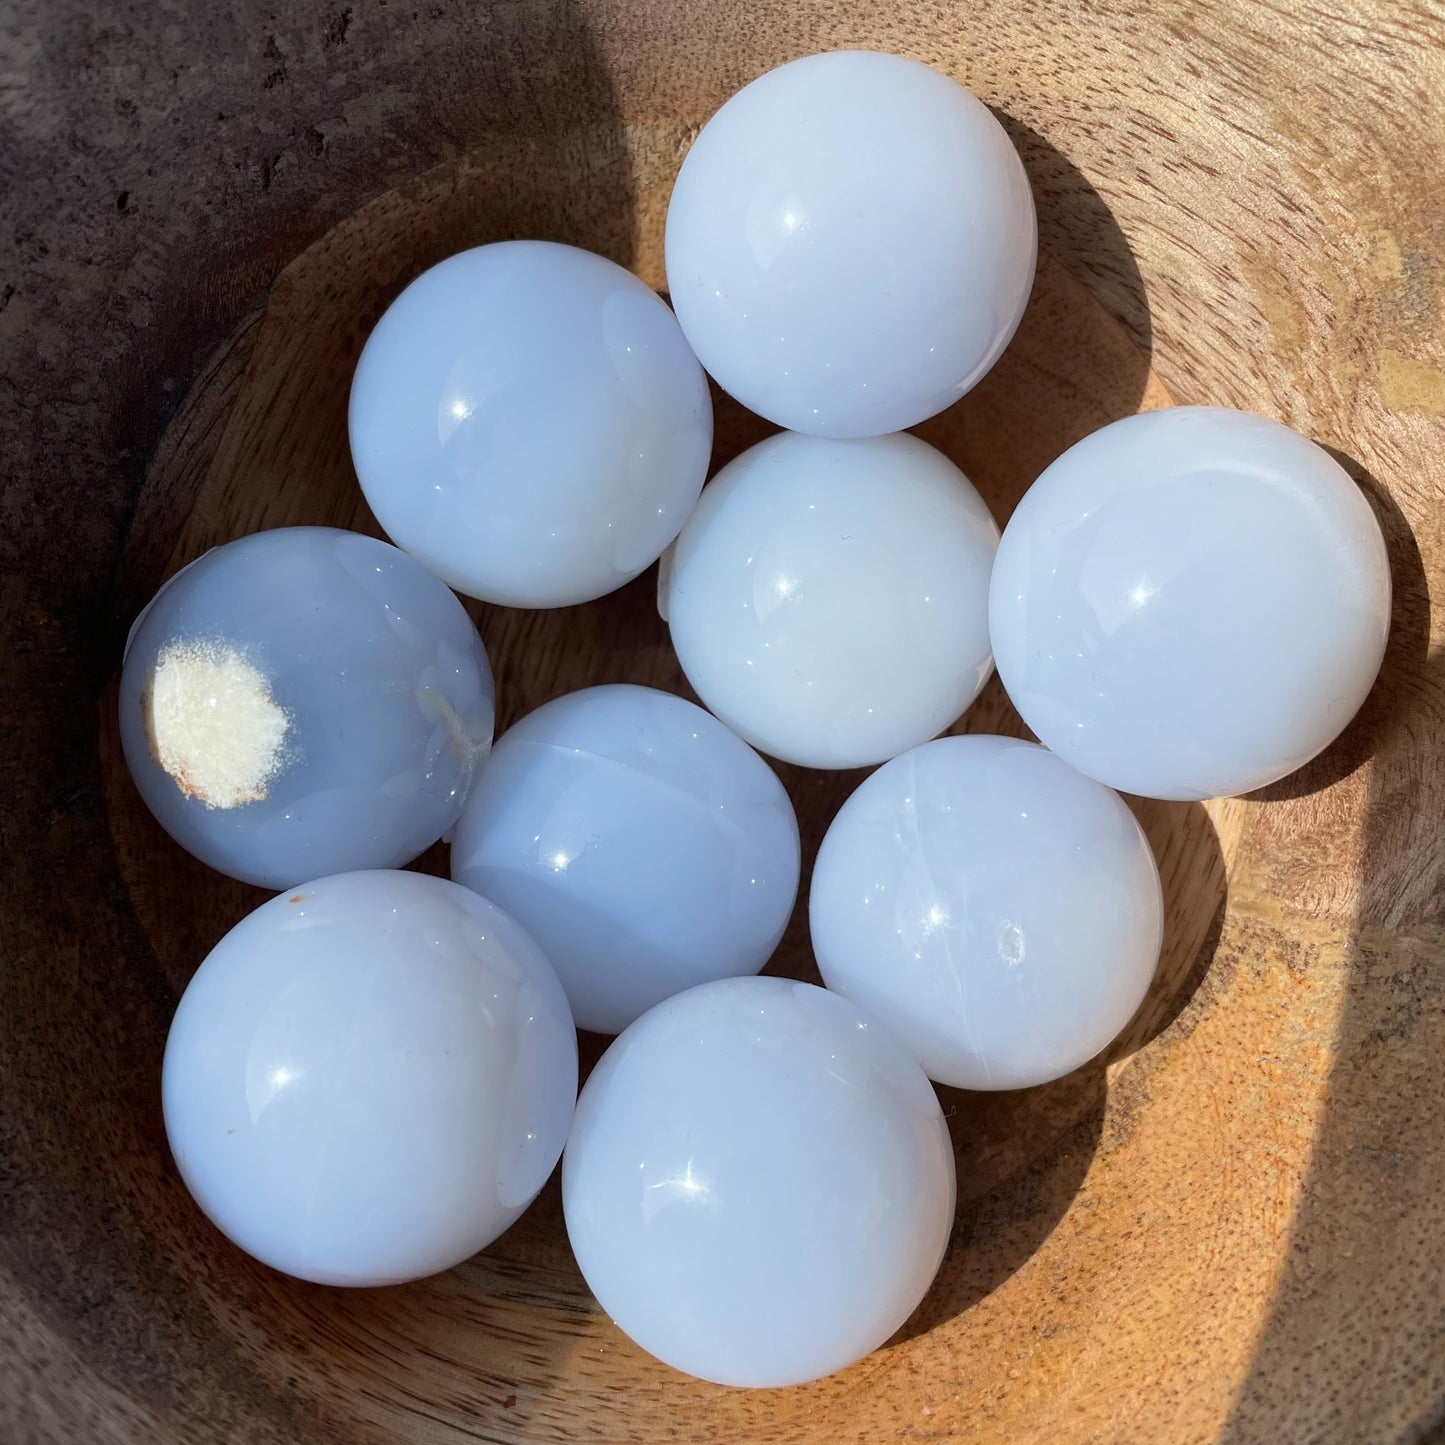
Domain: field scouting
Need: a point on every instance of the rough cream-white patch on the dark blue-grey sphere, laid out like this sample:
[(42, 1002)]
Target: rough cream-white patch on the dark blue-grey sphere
[(213, 723)]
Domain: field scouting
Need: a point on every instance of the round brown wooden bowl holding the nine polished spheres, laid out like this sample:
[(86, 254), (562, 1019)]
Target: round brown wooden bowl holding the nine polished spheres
[(1228, 1230)]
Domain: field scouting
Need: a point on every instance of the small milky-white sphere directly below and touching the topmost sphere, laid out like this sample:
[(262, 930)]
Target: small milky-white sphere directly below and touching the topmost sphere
[(829, 599)]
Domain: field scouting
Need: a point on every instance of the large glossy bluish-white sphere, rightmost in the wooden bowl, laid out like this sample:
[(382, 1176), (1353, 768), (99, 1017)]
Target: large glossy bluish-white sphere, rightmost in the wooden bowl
[(1191, 603)]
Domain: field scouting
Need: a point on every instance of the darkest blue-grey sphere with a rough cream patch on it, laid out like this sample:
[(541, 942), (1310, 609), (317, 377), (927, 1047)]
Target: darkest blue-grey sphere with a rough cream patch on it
[(306, 702)]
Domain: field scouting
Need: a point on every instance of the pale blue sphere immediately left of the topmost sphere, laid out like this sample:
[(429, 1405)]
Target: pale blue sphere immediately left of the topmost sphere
[(528, 421)]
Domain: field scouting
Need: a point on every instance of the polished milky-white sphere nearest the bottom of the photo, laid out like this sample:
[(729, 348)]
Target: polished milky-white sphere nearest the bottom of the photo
[(759, 1183)]
